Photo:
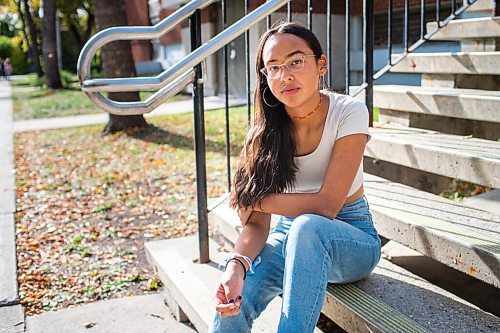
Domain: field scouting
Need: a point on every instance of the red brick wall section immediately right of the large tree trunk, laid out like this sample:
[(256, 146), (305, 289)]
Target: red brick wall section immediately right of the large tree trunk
[(138, 14)]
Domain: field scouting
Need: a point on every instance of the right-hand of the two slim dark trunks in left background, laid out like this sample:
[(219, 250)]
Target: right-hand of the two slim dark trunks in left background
[(49, 45)]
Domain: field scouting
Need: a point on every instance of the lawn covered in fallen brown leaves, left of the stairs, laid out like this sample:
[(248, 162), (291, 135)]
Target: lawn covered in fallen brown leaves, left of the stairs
[(86, 204)]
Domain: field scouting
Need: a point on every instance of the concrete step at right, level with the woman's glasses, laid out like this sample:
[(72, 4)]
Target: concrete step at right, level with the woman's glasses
[(483, 63)]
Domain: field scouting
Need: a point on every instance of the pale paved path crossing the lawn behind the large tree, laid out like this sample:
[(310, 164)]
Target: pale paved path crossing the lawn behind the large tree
[(185, 106)]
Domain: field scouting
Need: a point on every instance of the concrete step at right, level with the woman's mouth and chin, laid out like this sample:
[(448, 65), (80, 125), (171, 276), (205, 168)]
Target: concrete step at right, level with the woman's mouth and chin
[(474, 104)]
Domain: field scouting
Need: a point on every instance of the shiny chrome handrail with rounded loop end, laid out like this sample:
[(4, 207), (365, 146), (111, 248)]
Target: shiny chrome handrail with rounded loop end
[(170, 81)]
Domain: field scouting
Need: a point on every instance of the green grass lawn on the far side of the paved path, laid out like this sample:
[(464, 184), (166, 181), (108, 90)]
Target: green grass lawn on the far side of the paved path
[(31, 100)]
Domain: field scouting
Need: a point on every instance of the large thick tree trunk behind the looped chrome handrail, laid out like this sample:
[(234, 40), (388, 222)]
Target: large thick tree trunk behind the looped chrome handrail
[(117, 62)]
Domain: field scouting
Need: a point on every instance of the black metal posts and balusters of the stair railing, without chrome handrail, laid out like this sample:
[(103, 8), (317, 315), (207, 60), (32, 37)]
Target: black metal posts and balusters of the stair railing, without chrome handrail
[(411, 37)]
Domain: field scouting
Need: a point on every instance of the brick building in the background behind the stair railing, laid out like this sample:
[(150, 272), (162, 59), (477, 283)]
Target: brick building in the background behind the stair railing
[(176, 44)]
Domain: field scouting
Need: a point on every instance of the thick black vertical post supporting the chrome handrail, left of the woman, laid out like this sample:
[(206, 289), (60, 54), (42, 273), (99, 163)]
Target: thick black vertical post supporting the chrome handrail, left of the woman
[(199, 143)]
